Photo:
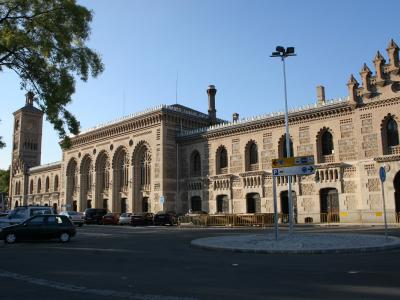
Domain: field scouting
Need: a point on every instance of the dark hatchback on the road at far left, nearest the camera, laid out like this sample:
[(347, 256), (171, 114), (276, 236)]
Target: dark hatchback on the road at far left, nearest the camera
[(40, 227)]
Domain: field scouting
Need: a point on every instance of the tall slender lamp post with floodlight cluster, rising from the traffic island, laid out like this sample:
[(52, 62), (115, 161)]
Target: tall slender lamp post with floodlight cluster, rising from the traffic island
[(283, 53)]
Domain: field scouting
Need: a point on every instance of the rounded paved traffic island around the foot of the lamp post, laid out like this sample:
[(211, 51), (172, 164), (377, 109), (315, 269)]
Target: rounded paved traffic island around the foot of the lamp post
[(299, 243)]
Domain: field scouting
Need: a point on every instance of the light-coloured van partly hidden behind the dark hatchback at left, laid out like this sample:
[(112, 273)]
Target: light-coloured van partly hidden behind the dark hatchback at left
[(22, 213)]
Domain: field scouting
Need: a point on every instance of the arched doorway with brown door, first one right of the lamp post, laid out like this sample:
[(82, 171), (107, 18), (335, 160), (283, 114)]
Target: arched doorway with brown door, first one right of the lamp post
[(329, 201)]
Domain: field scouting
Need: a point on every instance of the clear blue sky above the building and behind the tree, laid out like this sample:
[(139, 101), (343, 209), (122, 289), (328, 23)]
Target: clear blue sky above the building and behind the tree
[(144, 43)]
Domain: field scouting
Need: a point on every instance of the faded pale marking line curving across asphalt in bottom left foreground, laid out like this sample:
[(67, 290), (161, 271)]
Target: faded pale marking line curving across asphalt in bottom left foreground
[(85, 290)]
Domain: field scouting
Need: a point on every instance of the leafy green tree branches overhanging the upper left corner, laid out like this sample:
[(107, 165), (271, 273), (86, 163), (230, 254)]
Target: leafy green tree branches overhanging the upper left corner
[(43, 41)]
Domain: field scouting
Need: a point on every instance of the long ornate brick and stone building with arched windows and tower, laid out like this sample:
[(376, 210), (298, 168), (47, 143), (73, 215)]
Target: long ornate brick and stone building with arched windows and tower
[(196, 161)]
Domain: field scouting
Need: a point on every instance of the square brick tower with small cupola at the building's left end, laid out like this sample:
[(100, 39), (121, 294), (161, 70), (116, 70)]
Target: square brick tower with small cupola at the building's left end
[(27, 136)]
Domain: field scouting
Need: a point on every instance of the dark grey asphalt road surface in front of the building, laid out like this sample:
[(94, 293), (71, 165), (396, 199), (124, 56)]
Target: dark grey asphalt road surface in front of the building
[(112, 262)]
